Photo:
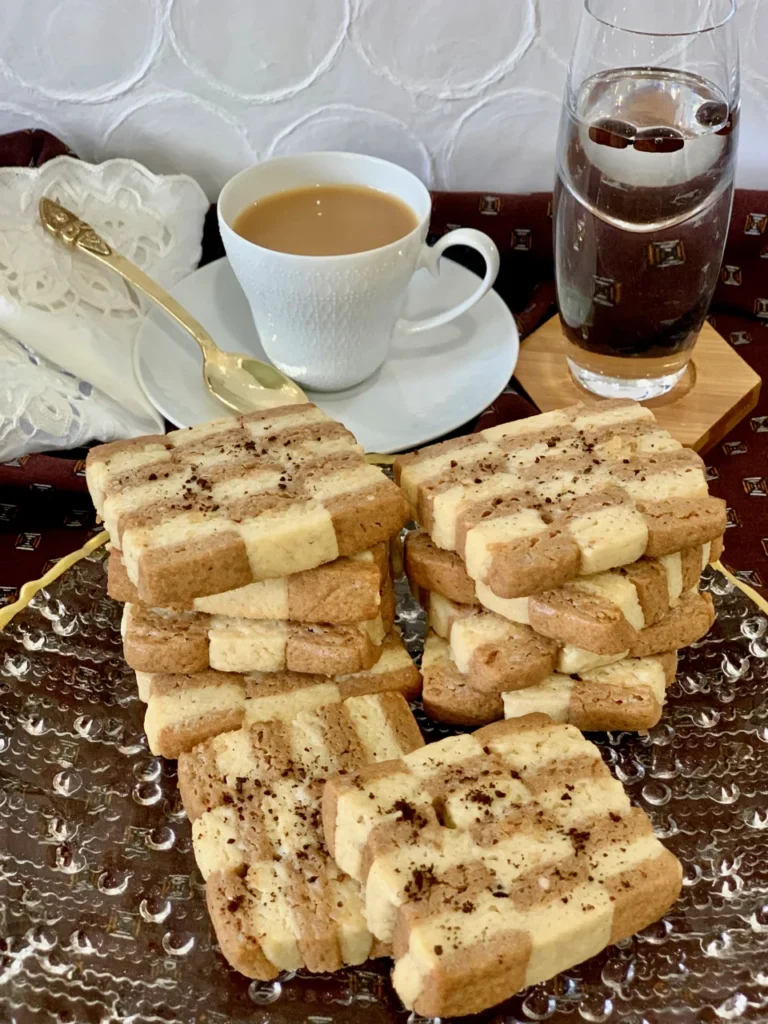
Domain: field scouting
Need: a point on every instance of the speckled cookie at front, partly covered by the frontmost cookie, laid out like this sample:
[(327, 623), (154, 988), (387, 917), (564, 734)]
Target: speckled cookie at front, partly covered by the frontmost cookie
[(278, 902)]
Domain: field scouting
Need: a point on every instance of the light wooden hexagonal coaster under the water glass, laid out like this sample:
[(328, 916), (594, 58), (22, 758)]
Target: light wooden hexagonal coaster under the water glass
[(717, 392)]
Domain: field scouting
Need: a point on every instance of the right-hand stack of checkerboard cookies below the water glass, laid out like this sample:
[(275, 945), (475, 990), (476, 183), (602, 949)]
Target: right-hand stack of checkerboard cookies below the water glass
[(560, 560)]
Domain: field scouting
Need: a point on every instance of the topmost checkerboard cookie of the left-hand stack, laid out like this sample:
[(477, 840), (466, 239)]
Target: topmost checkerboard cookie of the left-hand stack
[(217, 507)]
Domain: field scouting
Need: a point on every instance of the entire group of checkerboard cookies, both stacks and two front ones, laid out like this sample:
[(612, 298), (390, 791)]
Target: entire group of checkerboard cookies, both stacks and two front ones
[(252, 558)]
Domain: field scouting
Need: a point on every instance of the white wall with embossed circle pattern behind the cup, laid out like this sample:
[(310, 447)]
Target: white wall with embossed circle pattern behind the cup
[(464, 93)]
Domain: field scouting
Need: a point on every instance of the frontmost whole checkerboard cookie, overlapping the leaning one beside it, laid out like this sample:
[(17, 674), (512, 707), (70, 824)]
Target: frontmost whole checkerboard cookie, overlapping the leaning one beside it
[(495, 861)]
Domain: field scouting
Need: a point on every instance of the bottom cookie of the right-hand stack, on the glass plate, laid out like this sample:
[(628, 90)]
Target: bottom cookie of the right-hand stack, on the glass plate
[(627, 695)]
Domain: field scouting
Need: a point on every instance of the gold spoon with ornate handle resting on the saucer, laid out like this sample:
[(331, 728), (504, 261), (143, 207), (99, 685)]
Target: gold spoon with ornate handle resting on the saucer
[(241, 382)]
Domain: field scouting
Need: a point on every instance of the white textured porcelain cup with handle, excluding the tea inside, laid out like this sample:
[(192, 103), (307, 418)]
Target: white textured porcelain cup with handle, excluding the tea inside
[(328, 321)]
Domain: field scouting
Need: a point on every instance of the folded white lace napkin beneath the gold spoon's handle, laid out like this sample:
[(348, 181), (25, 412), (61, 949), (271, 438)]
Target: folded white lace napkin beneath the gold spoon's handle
[(68, 327)]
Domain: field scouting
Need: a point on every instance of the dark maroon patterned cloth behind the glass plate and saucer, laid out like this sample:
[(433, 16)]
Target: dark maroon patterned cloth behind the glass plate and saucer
[(45, 508)]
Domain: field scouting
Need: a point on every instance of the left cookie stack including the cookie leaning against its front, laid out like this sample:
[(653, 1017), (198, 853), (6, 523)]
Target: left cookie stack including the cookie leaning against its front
[(252, 556)]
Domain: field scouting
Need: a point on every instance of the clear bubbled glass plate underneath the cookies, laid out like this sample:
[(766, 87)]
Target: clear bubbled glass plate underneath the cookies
[(102, 909)]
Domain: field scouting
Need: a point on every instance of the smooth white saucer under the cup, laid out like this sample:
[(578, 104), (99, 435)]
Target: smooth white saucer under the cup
[(432, 383)]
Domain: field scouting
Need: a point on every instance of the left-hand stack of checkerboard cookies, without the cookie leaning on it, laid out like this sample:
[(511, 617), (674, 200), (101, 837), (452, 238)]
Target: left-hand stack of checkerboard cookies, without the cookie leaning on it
[(252, 558)]
